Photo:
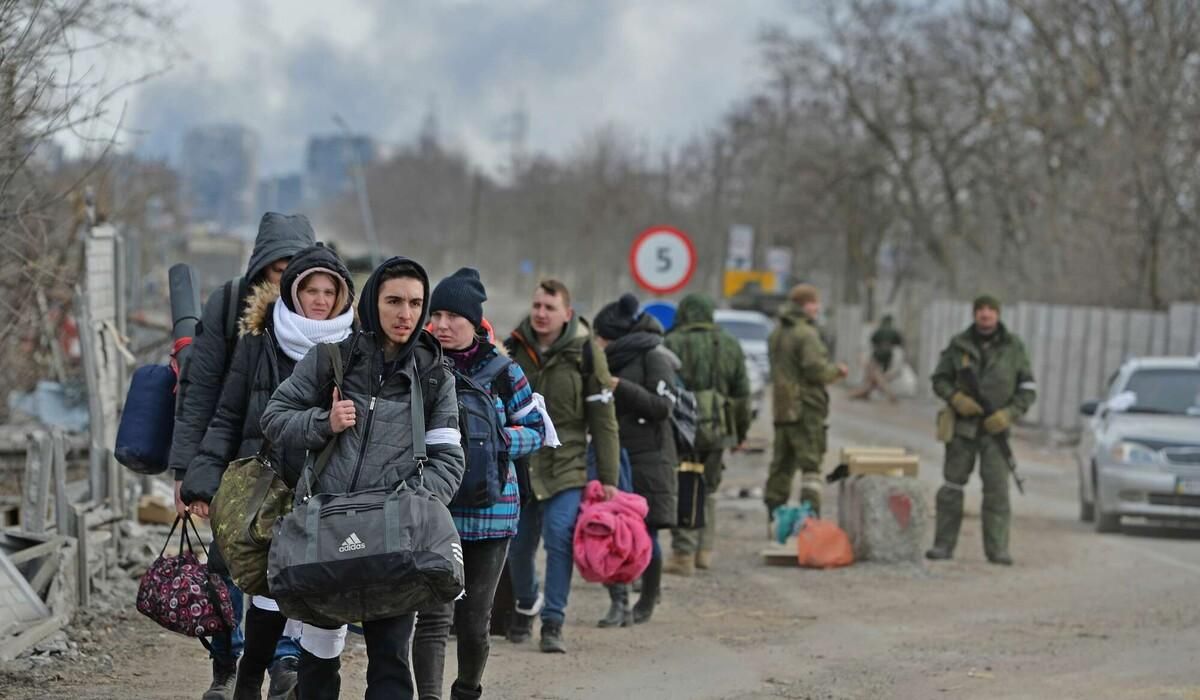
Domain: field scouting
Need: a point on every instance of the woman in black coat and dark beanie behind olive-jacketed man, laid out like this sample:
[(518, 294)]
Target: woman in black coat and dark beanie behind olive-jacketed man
[(644, 385)]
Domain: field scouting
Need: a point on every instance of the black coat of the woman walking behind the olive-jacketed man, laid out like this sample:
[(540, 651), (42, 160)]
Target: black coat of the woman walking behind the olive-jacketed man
[(645, 403)]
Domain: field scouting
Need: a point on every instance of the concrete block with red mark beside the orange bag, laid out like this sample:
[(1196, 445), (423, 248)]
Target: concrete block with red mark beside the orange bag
[(885, 517)]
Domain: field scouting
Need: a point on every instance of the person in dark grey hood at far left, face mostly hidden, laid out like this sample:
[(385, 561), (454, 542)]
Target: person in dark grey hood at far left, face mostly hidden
[(280, 238)]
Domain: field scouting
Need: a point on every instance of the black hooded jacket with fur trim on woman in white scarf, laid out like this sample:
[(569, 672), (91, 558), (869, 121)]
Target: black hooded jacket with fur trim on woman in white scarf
[(256, 370)]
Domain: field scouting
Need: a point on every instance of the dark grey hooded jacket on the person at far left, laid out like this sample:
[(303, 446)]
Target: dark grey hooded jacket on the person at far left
[(203, 375)]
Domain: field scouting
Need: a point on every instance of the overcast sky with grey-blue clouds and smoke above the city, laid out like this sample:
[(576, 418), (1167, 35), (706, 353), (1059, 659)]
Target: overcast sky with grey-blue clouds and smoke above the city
[(663, 69)]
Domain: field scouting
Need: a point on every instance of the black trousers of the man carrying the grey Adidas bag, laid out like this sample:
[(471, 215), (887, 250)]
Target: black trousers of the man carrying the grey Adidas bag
[(389, 677)]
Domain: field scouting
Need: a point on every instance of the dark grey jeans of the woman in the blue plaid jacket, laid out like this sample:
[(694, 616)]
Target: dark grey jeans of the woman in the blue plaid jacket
[(483, 565)]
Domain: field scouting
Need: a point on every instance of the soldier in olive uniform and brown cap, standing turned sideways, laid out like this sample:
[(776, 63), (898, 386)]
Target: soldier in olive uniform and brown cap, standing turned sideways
[(800, 373)]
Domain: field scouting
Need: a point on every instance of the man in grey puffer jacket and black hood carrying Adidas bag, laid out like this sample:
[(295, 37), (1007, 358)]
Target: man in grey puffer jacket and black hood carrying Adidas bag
[(373, 421)]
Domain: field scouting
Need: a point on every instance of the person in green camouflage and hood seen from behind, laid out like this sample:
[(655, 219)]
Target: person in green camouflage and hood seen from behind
[(712, 361)]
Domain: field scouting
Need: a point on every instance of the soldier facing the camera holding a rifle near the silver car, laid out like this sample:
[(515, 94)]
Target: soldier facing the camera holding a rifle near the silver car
[(1006, 384)]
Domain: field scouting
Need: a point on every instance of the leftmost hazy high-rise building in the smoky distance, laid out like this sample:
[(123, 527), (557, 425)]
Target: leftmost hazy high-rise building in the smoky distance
[(220, 167)]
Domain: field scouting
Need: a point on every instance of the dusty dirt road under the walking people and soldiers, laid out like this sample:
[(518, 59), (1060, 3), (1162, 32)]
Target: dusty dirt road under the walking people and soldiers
[(1081, 615)]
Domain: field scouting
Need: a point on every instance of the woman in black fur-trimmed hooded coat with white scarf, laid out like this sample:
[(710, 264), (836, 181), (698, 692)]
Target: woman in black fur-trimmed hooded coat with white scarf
[(314, 304)]
